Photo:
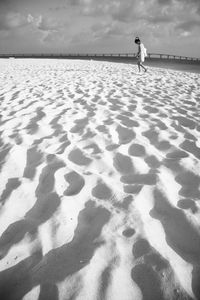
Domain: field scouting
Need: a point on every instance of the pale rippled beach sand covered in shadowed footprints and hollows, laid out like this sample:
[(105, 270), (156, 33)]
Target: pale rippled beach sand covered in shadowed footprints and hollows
[(99, 181)]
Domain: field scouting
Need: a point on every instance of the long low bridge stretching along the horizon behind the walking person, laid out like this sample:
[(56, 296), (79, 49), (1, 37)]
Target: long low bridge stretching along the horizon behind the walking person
[(99, 55)]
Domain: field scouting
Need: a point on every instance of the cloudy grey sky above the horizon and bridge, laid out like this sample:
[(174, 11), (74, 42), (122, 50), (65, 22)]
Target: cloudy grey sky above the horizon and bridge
[(63, 26)]
